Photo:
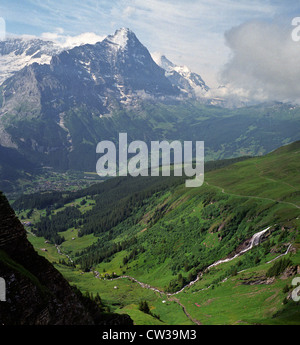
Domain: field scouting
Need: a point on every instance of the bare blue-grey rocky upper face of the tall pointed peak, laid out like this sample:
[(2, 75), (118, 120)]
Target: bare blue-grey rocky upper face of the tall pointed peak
[(118, 69)]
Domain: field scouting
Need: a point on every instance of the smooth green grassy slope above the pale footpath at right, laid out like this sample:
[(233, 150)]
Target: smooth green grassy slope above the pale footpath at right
[(274, 176)]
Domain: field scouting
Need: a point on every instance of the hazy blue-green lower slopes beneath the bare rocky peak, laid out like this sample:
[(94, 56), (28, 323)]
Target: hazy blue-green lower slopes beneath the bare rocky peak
[(227, 133)]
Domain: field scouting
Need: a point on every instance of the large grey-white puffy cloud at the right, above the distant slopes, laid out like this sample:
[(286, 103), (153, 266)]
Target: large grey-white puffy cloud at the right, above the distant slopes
[(264, 61)]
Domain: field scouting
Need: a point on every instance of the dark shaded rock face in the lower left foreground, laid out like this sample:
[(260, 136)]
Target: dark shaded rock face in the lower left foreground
[(36, 293)]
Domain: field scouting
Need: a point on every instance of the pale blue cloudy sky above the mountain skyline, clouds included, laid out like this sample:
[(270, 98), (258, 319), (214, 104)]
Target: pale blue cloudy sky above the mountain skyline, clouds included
[(225, 41)]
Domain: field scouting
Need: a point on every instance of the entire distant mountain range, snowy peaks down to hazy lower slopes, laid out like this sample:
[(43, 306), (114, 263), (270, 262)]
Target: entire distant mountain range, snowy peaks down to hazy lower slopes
[(56, 104)]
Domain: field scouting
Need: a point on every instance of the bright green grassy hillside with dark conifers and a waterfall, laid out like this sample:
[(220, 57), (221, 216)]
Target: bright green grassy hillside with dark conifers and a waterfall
[(164, 234)]
